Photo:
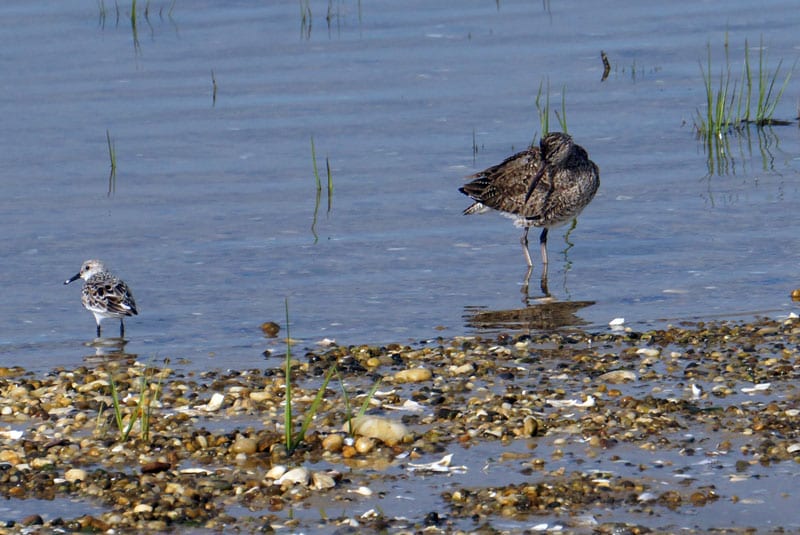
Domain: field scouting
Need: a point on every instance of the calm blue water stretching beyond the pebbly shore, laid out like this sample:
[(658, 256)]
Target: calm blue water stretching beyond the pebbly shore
[(211, 216)]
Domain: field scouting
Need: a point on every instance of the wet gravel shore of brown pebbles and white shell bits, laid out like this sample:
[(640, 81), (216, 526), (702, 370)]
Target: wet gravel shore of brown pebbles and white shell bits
[(725, 391)]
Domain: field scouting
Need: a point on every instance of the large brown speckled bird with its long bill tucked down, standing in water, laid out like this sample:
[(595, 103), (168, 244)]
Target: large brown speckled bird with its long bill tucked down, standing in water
[(543, 186)]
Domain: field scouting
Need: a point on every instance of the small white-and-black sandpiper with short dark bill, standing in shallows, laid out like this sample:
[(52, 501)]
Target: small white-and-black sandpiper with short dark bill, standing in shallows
[(104, 295)]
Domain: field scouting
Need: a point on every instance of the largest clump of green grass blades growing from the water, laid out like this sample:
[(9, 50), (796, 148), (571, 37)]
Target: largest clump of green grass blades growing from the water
[(729, 101)]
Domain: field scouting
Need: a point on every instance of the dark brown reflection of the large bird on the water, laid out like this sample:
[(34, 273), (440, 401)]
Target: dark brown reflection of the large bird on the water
[(544, 314)]
